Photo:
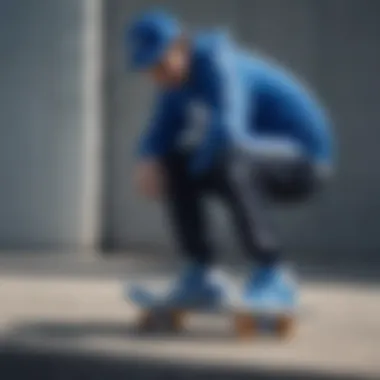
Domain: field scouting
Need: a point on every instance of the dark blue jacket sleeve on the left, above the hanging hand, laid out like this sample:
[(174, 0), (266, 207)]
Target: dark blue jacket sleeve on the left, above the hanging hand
[(160, 135)]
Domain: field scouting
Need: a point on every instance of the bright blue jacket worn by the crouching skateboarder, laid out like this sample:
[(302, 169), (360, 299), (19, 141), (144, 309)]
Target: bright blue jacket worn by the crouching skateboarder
[(249, 102)]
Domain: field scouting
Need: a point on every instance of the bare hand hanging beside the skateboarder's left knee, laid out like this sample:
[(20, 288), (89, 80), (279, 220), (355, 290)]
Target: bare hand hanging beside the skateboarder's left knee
[(149, 178)]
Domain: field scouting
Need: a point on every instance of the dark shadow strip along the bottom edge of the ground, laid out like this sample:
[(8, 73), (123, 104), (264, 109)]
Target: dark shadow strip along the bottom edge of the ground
[(20, 363)]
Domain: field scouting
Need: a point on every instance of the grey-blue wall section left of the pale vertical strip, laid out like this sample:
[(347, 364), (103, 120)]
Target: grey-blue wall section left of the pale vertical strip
[(41, 114)]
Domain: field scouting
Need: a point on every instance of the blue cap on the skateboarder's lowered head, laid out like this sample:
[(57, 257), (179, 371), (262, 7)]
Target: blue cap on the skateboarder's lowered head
[(149, 36)]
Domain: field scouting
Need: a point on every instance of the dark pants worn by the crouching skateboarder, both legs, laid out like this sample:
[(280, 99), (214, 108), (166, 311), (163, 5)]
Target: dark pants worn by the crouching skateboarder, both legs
[(244, 185)]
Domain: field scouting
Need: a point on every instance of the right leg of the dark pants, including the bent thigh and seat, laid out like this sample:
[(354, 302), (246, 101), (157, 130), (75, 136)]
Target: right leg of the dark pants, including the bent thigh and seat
[(248, 181)]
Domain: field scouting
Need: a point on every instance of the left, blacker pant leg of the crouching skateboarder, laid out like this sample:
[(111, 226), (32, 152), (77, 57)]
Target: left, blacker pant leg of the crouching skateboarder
[(185, 209)]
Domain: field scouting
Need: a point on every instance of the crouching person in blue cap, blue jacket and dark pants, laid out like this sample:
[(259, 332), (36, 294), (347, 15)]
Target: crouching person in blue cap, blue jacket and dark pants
[(259, 136)]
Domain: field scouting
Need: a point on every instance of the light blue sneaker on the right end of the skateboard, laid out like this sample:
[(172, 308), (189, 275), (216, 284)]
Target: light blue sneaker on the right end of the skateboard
[(270, 288)]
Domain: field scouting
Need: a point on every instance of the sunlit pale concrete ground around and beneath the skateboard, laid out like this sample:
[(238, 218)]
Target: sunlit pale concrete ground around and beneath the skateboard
[(63, 317)]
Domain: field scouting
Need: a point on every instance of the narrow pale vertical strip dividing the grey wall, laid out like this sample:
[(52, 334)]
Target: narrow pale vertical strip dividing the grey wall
[(92, 122)]
